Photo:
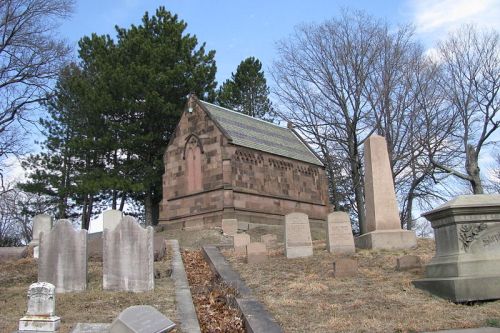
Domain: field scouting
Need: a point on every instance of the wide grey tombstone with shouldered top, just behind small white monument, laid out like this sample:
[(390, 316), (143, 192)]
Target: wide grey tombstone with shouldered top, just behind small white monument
[(63, 257)]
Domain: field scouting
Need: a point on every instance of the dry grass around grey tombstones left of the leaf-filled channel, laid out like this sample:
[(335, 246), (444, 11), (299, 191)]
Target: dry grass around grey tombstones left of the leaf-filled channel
[(92, 306)]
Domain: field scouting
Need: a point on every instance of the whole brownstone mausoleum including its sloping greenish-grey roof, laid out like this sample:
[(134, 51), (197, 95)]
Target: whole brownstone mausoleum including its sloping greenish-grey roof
[(221, 164)]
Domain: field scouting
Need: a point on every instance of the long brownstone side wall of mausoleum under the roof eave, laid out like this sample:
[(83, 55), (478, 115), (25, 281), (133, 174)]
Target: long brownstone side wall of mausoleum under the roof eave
[(275, 185)]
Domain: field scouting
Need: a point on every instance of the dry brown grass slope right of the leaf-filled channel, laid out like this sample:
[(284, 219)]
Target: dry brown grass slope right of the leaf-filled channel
[(304, 297)]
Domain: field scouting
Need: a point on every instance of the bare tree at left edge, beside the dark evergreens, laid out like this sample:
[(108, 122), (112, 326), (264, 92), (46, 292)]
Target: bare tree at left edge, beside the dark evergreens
[(30, 58)]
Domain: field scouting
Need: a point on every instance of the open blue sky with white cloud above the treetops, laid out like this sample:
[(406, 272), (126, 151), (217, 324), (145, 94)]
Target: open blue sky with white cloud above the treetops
[(239, 29)]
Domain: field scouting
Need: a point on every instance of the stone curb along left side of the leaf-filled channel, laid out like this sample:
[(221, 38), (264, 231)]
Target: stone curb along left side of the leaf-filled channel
[(187, 313)]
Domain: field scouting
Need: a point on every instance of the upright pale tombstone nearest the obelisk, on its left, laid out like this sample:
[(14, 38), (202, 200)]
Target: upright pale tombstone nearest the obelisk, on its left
[(339, 238)]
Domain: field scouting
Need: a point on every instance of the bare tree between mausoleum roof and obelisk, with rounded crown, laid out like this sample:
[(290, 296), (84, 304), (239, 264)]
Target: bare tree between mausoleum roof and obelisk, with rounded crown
[(327, 68)]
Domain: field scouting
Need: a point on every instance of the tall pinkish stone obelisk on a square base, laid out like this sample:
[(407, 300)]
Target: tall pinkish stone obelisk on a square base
[(382, 229)]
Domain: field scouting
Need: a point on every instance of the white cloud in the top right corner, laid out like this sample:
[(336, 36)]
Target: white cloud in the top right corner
[(441, 16)]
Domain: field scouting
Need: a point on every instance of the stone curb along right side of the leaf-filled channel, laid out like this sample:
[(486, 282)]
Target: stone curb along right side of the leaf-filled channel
[(257, 318)]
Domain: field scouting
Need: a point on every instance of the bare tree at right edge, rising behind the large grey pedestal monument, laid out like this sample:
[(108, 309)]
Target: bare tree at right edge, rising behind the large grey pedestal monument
[(471, 64)]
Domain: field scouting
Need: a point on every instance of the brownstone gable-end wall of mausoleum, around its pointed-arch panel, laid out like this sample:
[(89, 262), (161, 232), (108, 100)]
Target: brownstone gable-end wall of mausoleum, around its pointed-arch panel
[(179, 201)]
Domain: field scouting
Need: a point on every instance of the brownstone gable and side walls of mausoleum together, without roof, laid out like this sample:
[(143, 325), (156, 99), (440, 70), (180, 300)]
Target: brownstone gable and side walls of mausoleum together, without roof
[(207, 178)]
